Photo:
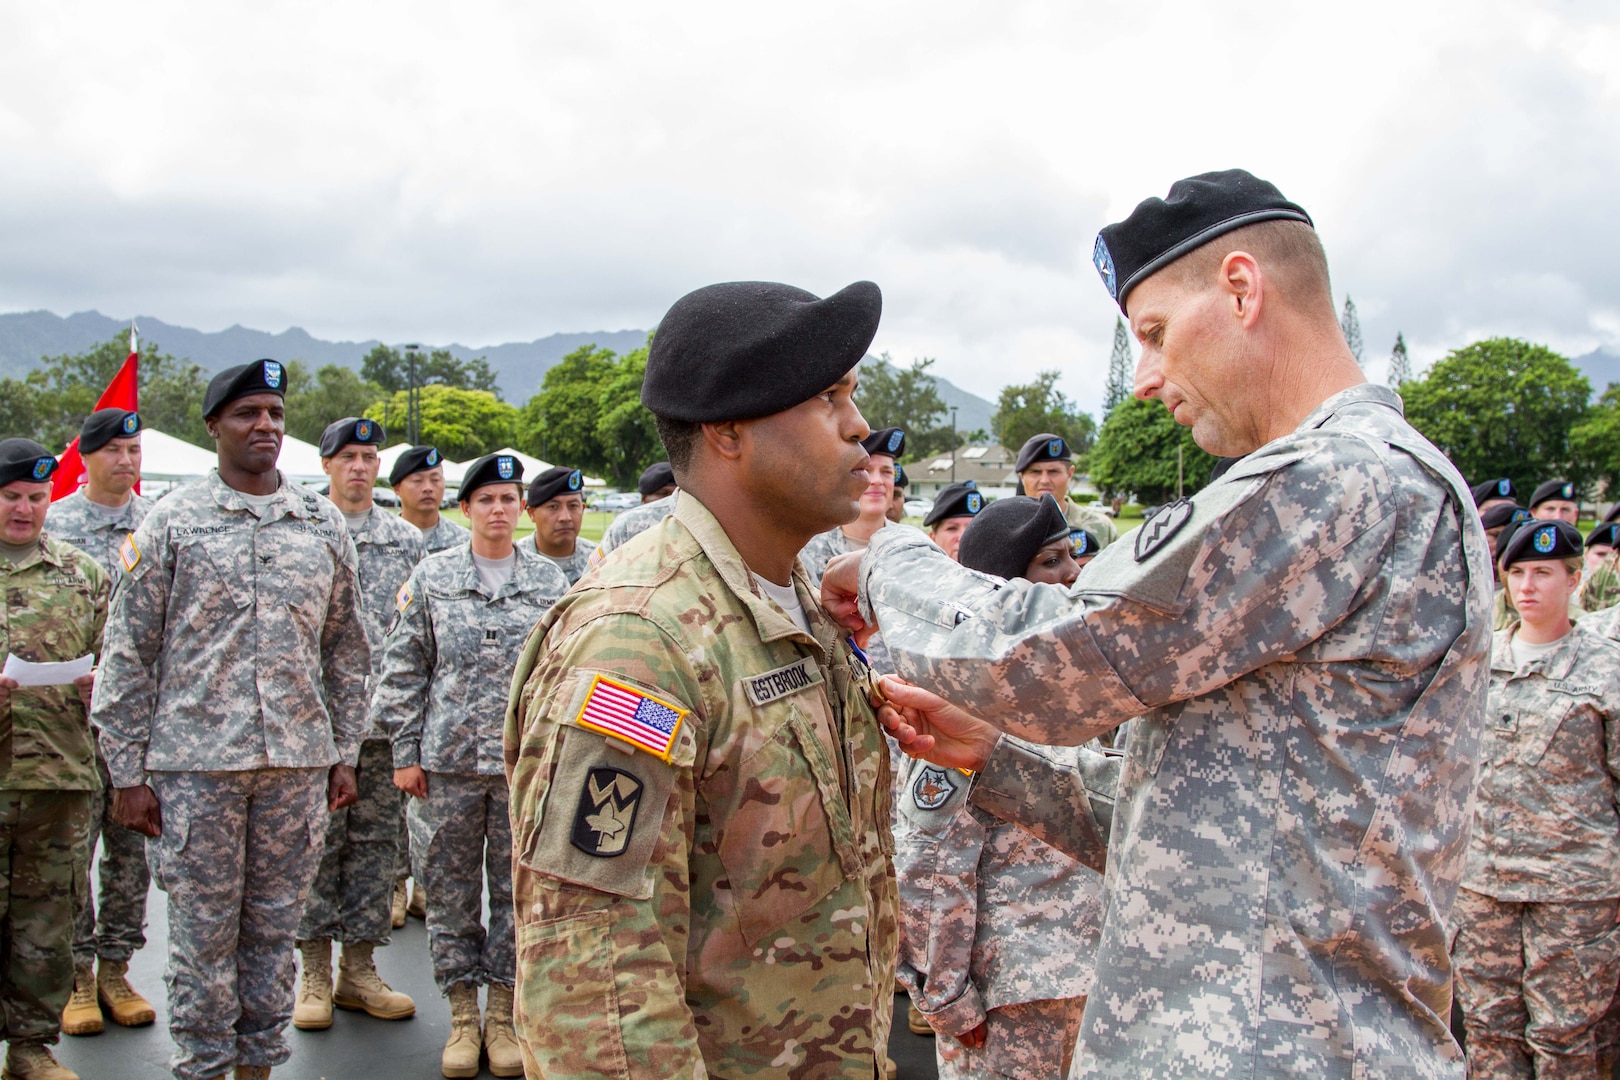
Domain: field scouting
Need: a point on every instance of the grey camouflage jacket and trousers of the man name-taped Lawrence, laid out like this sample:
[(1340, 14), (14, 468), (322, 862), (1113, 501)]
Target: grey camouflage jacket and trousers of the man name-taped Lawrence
[(234, 679)]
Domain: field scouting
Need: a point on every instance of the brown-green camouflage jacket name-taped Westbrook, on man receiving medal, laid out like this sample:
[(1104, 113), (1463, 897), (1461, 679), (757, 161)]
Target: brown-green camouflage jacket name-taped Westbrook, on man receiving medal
[(743, 912)]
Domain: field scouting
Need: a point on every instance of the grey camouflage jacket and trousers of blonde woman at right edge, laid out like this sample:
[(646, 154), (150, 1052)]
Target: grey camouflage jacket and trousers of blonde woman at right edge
[(1537, 946)]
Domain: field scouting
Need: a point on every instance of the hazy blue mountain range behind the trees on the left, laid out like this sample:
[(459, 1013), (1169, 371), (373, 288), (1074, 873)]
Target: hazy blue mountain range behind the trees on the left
[(30, 336)]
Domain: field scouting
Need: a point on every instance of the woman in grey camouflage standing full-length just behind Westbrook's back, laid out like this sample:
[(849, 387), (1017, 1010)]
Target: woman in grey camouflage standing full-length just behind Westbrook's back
[(441, 695)]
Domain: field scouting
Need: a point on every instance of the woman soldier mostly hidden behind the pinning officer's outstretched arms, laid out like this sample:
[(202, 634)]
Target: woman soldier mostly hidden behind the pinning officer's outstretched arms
[(999, 930)]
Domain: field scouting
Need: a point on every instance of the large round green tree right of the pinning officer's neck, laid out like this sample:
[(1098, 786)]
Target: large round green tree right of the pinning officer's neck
[(1504, 407)]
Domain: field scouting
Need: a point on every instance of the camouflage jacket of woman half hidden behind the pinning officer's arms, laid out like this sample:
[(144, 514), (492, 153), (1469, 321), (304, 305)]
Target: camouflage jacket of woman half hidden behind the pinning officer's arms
[(991, 916)]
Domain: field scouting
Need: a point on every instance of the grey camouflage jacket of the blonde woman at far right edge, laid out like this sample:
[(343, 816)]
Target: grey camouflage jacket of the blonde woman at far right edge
[(1546, 825)]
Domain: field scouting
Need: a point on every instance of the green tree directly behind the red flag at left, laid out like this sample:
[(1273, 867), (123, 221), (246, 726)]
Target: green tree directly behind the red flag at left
[(66, 389)]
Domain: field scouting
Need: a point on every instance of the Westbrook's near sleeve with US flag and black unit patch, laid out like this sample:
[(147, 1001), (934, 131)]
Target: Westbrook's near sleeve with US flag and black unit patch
[(602, 838)]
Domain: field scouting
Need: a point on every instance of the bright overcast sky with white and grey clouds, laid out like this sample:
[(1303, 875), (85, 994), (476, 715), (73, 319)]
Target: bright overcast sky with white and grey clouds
[(487, 172)]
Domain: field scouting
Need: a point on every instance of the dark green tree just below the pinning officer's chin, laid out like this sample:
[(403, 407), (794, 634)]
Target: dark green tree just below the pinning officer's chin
[(1136, 454)]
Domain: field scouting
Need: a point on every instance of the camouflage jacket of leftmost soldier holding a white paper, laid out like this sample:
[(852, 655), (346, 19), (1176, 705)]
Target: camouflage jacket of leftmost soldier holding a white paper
[(53, 610)]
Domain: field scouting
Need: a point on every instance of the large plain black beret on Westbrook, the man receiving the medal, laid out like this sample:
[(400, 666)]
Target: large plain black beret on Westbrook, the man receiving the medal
[(752, 349)]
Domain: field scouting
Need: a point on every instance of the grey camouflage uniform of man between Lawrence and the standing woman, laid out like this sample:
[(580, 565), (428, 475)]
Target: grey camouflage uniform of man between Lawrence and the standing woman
[(352, 898)]
